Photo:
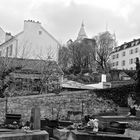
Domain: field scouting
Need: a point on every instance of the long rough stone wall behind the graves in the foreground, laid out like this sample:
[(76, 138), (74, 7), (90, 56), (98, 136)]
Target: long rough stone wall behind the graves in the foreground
[(56, 105)]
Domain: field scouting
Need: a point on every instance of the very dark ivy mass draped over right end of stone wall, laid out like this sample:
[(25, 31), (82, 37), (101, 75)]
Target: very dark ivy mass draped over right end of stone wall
[(119, 94)]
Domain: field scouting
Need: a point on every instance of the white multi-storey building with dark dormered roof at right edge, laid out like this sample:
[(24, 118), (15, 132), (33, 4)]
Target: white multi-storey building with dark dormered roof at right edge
[(124, 56)]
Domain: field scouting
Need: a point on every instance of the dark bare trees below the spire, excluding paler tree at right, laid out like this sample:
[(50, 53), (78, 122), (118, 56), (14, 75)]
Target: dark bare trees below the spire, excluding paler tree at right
[(77, 56)]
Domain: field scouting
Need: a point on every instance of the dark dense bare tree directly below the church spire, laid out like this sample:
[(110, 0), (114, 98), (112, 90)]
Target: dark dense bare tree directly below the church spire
[(81, 54)]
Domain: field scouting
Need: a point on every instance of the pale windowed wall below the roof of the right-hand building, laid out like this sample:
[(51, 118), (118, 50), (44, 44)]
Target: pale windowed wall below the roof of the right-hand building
[(129, 58)]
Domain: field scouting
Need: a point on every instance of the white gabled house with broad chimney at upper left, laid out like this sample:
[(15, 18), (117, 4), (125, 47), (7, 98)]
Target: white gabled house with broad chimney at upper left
[(34, 42)]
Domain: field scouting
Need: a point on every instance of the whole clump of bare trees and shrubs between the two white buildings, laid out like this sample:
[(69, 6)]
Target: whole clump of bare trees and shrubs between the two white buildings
[(87, 56)]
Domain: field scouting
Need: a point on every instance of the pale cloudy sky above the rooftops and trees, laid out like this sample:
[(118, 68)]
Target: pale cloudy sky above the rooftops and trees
[(63, 18)]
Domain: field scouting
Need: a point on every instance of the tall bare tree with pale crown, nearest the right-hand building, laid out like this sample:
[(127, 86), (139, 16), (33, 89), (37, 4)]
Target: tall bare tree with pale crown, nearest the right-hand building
[(105, 43)]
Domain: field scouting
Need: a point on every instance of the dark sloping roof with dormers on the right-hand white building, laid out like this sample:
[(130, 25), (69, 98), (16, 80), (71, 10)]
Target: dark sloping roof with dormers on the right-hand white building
[(126, 45)]
